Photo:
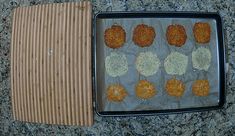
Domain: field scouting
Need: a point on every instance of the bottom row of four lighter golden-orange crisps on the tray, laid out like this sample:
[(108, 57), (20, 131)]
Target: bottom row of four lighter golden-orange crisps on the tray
[(146, 90)]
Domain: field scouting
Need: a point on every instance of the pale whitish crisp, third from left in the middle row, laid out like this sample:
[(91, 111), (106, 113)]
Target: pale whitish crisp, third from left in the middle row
[(176, 63)]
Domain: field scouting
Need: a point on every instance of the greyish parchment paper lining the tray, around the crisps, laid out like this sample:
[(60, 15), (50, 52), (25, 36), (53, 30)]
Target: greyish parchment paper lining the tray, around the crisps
[(160, 46)]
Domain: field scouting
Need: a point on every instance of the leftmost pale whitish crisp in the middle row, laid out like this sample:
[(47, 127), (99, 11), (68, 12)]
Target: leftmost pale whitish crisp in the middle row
[(116, 64)]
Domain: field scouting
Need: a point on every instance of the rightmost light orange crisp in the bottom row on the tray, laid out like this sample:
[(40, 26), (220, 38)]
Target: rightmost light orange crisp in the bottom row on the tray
[(201, 88)]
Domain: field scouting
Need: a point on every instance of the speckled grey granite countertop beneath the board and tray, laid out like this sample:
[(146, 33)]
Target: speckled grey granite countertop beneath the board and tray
[(221, 122)]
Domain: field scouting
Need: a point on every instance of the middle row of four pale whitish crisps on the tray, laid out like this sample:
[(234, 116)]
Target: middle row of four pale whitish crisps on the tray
[(148, 63)]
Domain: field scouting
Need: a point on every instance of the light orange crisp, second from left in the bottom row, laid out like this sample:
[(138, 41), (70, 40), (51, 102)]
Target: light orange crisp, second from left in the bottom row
[(144, 89)]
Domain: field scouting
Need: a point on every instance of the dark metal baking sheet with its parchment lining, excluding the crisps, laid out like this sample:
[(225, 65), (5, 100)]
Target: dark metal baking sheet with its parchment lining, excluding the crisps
[(161, 103)]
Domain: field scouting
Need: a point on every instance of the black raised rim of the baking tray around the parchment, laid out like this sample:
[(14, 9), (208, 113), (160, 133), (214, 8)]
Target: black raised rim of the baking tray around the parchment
[(156, 14)]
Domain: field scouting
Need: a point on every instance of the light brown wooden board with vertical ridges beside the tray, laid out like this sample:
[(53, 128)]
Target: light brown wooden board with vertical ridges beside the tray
[(51, 73)]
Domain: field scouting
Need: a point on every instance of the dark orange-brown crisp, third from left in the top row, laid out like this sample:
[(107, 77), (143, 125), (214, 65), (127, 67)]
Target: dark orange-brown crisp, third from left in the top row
[(176, 35)]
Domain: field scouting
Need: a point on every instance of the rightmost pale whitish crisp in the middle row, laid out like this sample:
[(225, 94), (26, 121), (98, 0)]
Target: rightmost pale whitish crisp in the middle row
[(201, 58)]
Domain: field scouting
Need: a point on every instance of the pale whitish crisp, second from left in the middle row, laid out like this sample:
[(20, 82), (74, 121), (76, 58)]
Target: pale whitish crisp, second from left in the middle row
[(147, 63)]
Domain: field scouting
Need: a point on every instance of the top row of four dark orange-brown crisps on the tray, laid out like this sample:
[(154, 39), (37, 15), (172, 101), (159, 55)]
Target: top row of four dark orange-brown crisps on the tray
[(143, 35)]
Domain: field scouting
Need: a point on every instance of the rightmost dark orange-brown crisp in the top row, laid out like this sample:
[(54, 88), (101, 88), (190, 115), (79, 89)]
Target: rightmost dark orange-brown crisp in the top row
[(202, 32)]
